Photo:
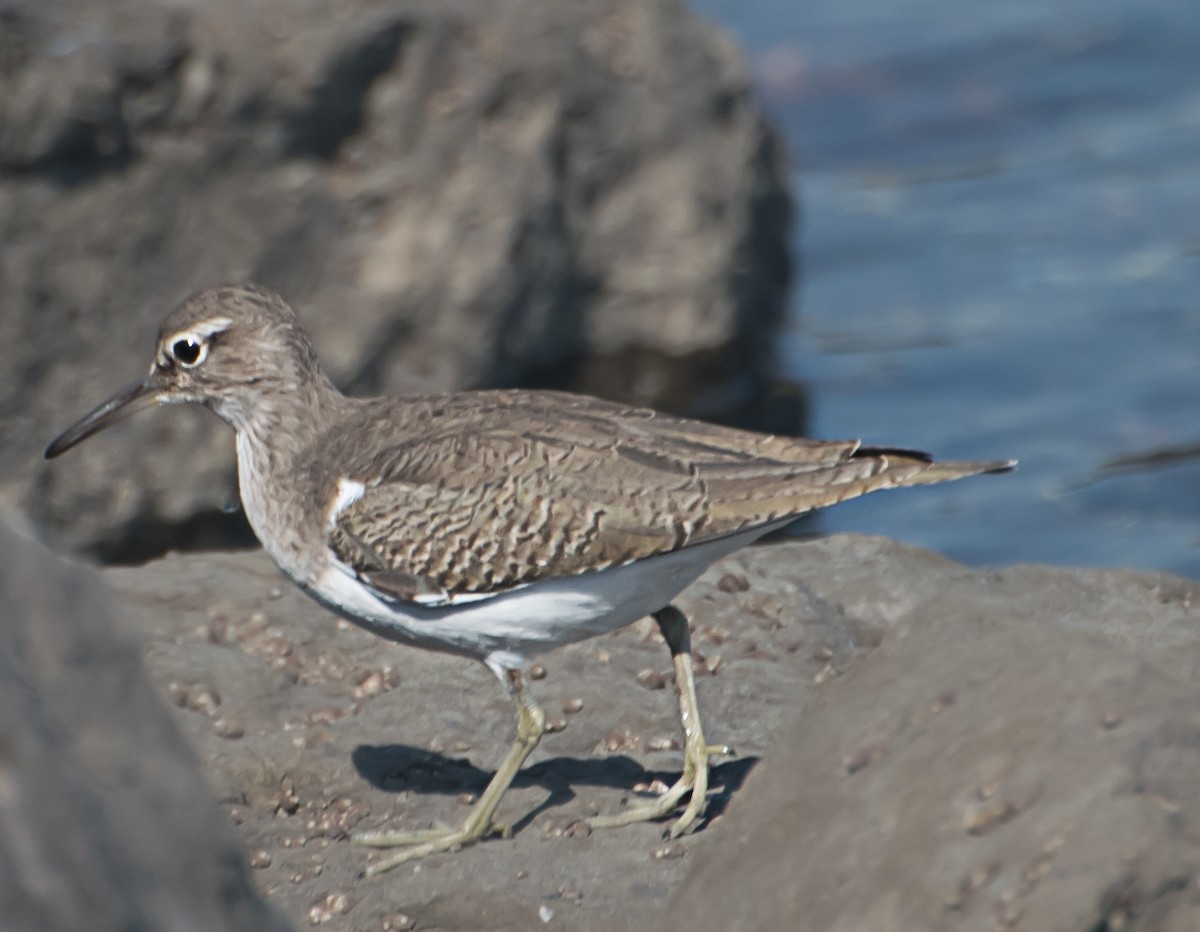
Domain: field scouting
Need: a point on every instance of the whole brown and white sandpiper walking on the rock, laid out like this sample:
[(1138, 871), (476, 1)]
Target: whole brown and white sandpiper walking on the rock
[(491, 525)]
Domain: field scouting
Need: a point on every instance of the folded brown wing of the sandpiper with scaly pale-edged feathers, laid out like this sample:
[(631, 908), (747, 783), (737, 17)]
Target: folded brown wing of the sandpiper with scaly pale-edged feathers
[(467, 509)]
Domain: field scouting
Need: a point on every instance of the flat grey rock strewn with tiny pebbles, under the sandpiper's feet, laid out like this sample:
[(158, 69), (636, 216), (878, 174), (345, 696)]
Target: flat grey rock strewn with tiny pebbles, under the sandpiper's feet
[(323, 730)]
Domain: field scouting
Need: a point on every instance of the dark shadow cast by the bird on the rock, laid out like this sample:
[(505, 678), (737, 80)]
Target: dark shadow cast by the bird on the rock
[(403, 768)]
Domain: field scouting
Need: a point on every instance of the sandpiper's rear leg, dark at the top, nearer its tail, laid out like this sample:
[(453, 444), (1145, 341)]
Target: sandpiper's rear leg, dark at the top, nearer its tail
[(694, 779)]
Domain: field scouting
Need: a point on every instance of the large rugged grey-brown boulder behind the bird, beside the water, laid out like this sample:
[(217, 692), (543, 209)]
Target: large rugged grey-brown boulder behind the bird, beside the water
[(524, 191)]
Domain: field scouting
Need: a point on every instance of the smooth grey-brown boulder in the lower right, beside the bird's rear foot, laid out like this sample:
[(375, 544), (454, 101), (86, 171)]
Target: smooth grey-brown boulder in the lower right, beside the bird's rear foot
[(1019, 753)]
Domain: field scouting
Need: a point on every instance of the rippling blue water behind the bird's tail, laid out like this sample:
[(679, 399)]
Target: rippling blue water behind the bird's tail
[(1000, 252)]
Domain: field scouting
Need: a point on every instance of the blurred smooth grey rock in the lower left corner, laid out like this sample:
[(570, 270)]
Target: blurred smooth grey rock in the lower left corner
[(105, 820)]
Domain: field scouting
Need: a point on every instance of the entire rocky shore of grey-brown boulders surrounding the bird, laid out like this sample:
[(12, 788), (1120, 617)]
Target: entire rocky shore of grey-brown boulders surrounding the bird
[(578, 196)]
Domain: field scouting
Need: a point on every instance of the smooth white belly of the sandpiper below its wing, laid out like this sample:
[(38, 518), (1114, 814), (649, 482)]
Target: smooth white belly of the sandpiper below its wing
[(506, 630)]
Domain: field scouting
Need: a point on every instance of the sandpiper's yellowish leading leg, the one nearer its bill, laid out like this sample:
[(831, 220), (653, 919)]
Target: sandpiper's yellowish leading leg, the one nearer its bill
[(479, 825)]
